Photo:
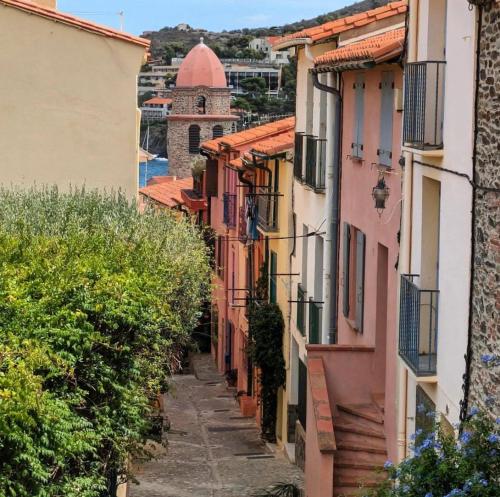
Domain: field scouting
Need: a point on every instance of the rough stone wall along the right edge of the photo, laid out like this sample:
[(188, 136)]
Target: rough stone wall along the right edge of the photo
[(485, 365)]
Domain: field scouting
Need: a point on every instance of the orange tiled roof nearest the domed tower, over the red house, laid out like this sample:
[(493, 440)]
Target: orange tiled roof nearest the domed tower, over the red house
[(251, 136)]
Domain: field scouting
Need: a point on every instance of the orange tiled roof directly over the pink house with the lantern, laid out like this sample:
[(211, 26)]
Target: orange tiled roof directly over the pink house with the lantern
[(375, 49)]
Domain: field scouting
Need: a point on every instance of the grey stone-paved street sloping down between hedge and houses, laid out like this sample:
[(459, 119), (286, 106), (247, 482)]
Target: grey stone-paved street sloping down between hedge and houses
[(212, 450)]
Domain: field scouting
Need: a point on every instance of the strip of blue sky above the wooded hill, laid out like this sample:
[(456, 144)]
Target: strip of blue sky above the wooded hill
[(214, 15)]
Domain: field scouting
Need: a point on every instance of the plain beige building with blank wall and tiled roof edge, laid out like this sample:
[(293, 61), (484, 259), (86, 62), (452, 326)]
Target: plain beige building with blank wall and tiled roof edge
[(56, 104)]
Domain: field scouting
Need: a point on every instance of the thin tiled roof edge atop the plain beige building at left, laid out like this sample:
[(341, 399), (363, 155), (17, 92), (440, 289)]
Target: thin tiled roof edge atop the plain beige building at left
[(32, 8)]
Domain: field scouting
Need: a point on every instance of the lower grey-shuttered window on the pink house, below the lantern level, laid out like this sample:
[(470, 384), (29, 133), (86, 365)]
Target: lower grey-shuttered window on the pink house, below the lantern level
[(353, 275)]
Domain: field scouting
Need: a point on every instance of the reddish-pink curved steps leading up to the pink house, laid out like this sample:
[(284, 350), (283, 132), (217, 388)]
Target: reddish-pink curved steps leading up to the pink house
[(361, 448)]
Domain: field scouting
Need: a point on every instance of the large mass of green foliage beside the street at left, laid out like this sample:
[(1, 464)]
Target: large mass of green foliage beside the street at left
[(96, 302)]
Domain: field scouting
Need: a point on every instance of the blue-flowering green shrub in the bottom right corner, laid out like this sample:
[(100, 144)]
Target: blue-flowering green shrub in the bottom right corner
[(443, 466)]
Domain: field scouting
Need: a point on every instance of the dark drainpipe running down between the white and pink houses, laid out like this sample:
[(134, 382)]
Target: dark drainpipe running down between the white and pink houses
[(332, 184)]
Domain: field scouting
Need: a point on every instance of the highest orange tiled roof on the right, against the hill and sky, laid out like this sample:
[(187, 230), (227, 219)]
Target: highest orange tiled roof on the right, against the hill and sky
[(333, 28)]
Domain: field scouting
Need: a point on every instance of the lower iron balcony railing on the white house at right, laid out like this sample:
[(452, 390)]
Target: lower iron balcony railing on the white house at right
[(418, 326)]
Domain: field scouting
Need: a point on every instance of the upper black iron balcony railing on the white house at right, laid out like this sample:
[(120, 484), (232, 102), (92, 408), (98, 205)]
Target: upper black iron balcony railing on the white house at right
[(424, 105)]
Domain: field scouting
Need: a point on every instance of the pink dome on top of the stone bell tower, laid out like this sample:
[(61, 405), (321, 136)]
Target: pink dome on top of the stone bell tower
[(201, 67)]
